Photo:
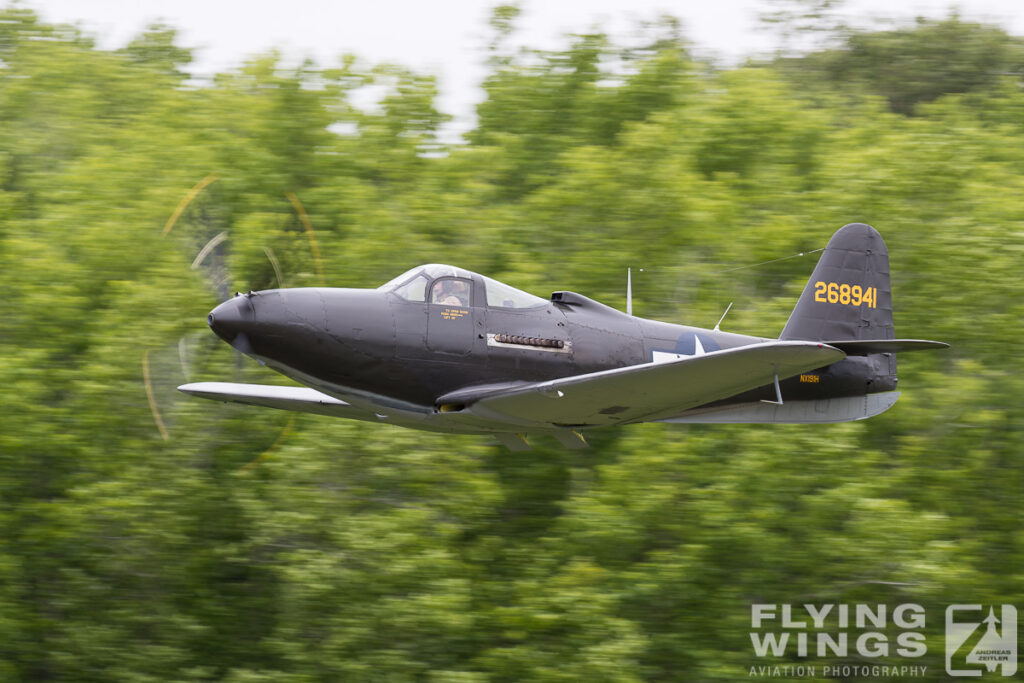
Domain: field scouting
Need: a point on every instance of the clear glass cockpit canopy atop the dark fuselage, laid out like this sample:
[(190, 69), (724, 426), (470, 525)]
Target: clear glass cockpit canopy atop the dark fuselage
[(429, 281)]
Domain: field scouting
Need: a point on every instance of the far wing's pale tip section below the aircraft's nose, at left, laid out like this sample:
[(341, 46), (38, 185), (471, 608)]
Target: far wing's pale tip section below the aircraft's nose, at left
[(303, 400)]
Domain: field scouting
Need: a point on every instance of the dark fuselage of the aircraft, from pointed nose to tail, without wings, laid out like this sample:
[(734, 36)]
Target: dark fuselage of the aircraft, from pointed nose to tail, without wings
[(376, 347)]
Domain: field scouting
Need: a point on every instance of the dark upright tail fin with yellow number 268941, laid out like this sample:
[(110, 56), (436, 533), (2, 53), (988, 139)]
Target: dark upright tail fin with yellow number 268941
[(848, 296)]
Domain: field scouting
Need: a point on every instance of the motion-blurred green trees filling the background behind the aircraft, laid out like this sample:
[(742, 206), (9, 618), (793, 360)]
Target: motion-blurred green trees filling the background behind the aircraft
[(243, 545)]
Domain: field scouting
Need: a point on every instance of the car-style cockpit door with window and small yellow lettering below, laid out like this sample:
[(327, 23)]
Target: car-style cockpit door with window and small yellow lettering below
[(453, 318)]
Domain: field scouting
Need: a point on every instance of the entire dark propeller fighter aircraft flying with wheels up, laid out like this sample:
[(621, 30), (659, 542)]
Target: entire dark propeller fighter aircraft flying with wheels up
[(444, 350)]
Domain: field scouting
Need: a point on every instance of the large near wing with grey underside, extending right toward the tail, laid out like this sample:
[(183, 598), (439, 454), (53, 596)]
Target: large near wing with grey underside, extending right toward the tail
[(648, 392)]
